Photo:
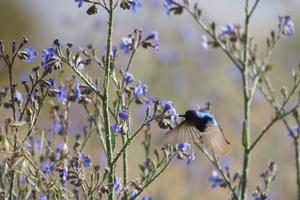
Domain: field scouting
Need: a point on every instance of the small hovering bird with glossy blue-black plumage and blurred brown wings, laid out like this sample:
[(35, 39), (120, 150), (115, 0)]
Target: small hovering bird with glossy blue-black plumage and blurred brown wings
[(201, 126)]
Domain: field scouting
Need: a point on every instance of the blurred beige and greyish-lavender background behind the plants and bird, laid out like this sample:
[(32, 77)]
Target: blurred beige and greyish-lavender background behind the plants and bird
[(181, 71)]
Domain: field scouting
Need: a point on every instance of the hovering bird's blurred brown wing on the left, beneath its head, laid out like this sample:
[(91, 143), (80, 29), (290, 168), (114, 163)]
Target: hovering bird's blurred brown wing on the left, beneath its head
[(184, 132)]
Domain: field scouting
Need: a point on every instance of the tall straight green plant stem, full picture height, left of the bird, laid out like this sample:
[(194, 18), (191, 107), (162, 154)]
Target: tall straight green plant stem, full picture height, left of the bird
[(106, 113)]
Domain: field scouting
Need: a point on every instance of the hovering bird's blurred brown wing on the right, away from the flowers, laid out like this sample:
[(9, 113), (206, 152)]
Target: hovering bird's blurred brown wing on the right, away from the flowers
[(214, 141)]
